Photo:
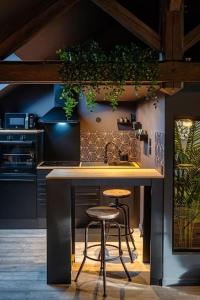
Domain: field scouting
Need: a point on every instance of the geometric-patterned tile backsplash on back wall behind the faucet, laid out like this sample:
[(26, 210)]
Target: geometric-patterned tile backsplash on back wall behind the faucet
[(93, 145)]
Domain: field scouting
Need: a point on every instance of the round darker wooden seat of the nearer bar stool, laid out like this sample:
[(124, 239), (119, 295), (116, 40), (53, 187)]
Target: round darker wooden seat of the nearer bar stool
[(102, 212)]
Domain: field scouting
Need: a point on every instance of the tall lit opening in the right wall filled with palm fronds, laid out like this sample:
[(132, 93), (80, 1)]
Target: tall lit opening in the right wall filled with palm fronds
[(186, 182)]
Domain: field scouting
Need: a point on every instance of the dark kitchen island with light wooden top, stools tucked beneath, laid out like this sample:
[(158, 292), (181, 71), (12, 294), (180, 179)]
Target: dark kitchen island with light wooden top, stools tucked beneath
[(60, 215)]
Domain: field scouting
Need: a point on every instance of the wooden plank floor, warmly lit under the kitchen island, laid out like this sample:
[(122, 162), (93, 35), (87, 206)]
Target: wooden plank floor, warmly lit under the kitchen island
[(23, 274)]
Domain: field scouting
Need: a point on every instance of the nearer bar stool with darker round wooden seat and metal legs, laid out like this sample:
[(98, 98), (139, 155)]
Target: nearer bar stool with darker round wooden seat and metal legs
[(103, 215)]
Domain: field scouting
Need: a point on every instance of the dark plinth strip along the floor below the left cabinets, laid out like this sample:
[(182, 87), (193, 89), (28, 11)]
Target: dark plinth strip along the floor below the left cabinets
[(23, 223)]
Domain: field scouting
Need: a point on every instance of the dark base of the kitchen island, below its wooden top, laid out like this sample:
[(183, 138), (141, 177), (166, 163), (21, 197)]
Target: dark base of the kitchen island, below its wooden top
[(61, 237)]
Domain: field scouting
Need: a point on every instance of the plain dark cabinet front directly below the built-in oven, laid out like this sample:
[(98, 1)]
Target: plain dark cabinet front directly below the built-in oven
[(17, 196)]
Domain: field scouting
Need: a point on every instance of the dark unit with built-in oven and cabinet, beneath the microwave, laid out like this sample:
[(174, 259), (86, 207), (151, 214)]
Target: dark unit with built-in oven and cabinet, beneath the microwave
[(20, 152)]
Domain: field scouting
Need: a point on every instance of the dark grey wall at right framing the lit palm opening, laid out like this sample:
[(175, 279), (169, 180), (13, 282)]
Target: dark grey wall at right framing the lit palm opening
[(177, 267)]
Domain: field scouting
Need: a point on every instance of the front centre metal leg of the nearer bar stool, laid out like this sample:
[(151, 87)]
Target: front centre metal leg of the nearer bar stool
[(103, 258)]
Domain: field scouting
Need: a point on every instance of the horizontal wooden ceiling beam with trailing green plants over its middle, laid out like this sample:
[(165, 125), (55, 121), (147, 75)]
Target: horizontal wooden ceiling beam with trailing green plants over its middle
[(43, 72)]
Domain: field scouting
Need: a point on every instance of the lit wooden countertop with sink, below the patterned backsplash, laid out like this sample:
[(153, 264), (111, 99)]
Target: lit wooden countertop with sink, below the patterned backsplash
[(101, 164)]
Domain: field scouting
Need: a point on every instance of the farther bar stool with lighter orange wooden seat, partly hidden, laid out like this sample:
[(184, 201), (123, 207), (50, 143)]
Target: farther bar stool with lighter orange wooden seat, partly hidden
[(124, 208)]
